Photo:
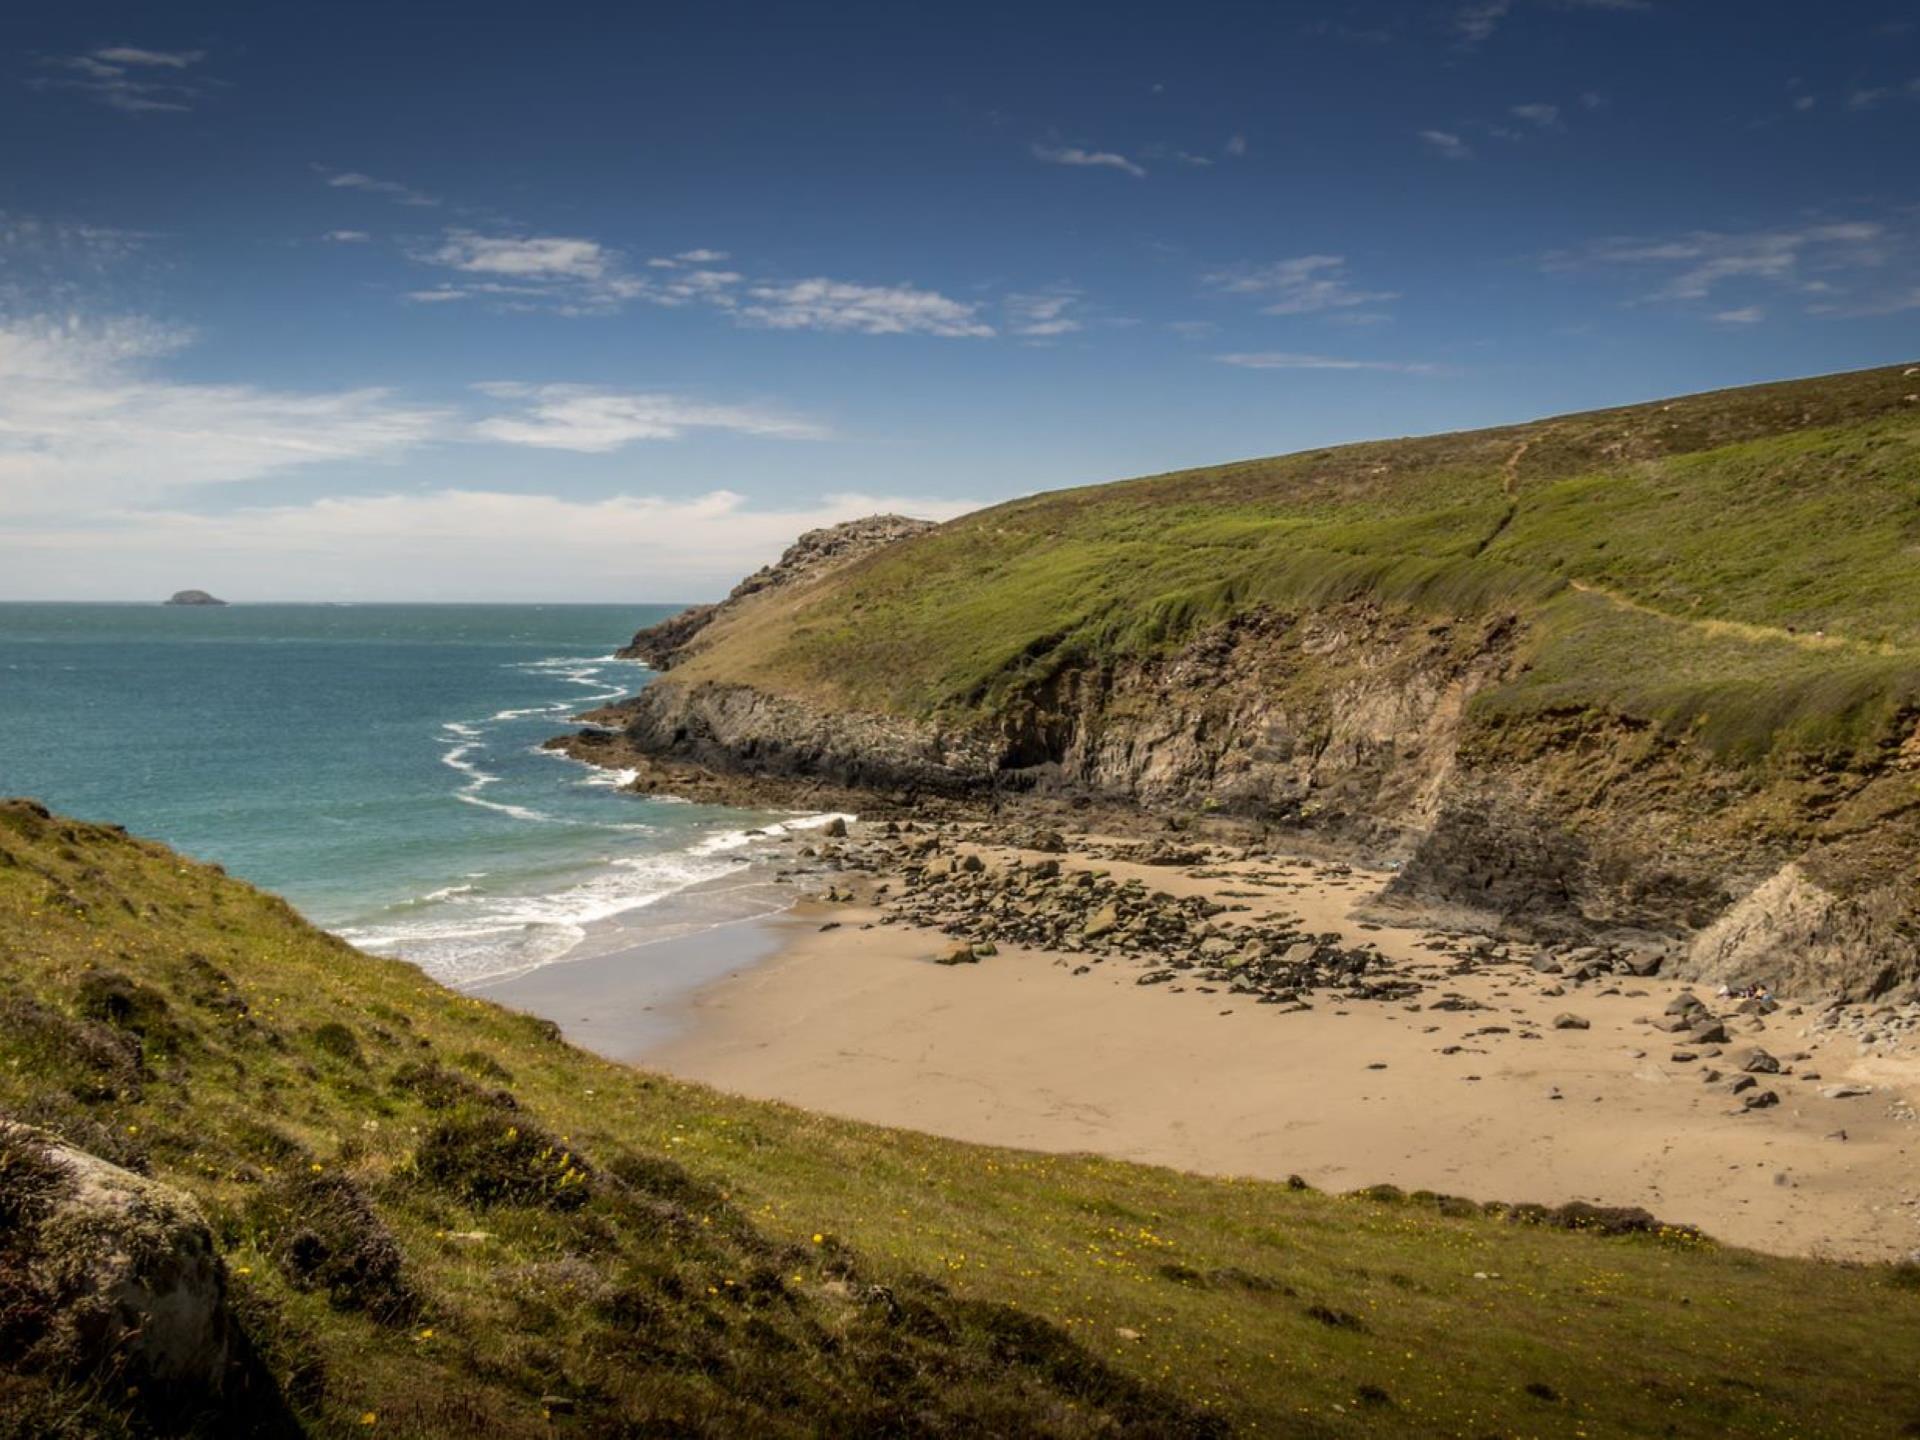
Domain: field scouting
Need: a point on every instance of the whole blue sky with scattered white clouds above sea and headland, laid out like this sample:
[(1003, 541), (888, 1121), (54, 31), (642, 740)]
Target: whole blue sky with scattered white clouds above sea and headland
[(610, 302)]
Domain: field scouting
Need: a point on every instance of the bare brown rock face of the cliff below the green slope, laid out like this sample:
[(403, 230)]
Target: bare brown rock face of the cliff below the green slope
[(1355, 727)]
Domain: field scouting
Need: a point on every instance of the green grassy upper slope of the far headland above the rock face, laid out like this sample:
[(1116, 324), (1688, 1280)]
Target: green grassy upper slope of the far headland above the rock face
[(1742, 567)]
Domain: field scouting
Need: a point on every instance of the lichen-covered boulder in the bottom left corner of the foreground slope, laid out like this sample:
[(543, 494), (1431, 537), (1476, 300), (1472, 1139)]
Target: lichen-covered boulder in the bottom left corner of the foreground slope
[(110, 1278)]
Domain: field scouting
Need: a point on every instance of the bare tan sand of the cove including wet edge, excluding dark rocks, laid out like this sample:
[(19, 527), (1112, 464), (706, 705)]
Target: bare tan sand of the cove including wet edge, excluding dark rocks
[(840, 1009)]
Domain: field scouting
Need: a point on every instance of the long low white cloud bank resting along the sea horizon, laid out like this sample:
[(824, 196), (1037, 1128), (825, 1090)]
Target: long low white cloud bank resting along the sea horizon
[(448, 544)]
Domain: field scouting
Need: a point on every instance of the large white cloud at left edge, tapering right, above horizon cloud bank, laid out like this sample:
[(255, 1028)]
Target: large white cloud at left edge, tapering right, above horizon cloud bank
[(85, 421)]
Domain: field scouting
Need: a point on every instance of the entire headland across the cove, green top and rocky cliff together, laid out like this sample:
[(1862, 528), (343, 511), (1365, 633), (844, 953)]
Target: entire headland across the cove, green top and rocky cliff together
[(1644, 675)]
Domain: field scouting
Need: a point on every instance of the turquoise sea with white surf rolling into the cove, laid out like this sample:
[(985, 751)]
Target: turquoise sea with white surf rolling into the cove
[(377, 765)]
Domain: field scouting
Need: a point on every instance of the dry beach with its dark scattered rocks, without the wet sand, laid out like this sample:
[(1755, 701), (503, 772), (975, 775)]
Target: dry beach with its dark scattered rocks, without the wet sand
[(1076, 976)]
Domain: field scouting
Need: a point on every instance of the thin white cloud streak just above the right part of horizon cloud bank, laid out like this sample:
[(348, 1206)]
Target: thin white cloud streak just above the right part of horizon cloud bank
[(598, 421)]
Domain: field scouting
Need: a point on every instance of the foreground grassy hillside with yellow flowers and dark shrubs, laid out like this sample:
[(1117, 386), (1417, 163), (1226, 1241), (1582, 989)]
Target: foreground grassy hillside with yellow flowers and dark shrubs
[(441, 1220)]
